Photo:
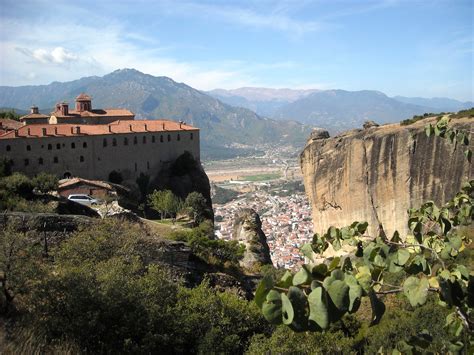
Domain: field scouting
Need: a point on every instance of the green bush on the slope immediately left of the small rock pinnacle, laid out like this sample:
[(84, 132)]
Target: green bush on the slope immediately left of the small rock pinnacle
[(213, 251)]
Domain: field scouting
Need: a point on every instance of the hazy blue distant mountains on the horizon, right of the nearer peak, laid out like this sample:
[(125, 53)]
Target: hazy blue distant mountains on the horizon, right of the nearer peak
[(335, 110)]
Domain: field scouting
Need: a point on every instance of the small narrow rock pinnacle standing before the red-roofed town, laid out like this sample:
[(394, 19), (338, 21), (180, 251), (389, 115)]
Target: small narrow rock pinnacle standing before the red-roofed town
[(248, 230)]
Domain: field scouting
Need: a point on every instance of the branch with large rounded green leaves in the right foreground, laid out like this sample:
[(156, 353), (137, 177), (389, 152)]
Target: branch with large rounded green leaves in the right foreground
[(319, 295)]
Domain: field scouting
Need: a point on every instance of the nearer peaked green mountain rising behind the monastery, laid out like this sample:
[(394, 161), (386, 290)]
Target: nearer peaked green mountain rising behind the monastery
[(223, 127)]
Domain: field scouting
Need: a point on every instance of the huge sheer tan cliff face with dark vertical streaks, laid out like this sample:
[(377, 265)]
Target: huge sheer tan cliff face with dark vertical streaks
[(375, 175)]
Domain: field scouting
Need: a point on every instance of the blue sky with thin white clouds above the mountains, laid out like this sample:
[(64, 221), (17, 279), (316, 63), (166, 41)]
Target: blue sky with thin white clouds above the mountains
[(400, 47)]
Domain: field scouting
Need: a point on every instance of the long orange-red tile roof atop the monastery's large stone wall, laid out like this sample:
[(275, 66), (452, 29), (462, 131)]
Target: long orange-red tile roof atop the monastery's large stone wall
[(70, 130)]
